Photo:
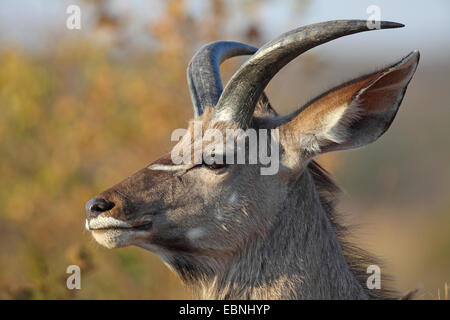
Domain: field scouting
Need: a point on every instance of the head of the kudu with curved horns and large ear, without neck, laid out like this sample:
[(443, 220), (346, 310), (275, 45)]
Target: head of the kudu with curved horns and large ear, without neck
[(200, 217)]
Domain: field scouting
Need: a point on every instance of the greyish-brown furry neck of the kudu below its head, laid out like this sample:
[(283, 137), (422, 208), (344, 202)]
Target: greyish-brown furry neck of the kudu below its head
[(308, 263)]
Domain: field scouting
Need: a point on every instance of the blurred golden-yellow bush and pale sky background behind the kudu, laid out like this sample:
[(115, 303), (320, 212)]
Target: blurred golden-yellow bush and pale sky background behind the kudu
[(83, 109)]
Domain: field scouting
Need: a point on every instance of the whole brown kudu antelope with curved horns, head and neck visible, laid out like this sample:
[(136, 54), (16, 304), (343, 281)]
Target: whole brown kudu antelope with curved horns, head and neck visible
[(230, 232)]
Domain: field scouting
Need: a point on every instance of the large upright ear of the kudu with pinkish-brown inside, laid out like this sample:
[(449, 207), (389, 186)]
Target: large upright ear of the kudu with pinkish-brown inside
[(351, 115)]
